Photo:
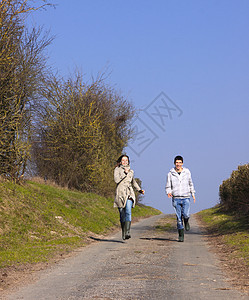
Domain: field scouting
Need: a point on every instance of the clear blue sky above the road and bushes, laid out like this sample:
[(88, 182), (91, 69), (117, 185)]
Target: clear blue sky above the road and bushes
[(183, 64)]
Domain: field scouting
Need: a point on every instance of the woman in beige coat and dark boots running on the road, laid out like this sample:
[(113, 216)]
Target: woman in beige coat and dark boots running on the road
[(125, 197)]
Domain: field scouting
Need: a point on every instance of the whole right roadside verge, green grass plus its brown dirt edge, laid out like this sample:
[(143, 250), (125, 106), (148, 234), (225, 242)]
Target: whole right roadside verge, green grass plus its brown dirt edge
[(228, 235)]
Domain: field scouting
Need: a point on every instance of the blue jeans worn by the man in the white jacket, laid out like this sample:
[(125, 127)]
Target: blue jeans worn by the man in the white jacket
[(181, 207)]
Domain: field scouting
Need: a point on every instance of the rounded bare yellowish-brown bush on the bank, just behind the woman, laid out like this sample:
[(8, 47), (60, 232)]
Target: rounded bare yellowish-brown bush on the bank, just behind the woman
[(82, 130)]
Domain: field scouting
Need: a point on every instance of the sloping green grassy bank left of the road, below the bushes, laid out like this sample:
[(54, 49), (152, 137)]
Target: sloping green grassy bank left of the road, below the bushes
[(39, 221)]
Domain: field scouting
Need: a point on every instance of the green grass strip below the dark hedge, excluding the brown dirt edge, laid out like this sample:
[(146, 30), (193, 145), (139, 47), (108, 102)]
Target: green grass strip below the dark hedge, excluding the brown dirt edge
[(233, 230)]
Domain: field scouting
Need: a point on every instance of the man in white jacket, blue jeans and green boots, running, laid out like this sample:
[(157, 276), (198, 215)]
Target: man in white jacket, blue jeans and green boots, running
[(179, 187)]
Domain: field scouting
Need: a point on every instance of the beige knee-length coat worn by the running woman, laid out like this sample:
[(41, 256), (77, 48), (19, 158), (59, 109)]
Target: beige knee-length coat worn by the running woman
[(124, 188)]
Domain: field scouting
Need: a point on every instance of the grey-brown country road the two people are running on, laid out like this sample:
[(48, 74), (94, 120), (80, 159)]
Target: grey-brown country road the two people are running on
[(150, 265)]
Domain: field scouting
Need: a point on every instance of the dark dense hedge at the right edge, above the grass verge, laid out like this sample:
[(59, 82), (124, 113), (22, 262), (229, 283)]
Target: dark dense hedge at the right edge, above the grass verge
[(234, 192)]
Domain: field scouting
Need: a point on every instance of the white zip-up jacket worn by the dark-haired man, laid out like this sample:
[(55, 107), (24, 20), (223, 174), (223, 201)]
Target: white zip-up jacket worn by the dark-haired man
[(180, 186)]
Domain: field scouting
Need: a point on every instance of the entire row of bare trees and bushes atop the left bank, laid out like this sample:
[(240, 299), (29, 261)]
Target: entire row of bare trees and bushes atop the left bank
[(64, 130)]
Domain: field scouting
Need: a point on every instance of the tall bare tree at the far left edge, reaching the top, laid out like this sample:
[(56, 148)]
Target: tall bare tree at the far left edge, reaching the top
[(23, 65)]
